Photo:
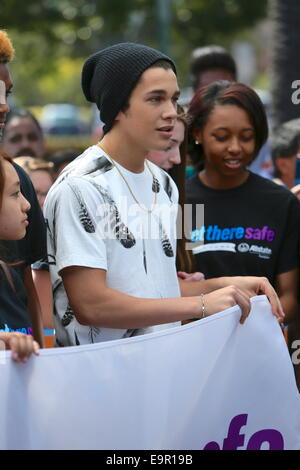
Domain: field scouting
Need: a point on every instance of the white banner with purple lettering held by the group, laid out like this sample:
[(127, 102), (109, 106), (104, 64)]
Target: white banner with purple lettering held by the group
[(212, 384)]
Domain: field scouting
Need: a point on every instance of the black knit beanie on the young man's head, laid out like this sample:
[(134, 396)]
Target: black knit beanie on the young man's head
[(109, 76)]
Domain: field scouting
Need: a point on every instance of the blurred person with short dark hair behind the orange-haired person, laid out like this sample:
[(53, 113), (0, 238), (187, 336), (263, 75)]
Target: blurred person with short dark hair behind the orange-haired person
[(23, 135)]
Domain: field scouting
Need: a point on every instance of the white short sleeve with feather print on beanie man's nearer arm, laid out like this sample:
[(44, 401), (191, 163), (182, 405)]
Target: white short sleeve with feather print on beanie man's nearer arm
[(76, 236)]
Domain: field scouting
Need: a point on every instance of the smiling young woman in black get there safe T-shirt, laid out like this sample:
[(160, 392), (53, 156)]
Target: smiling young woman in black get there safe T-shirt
[(251, 225)]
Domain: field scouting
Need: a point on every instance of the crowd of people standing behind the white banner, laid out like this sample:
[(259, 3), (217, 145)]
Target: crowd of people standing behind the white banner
[(116, 215)]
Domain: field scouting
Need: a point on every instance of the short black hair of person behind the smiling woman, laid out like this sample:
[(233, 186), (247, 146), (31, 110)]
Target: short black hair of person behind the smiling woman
[(210, 57)]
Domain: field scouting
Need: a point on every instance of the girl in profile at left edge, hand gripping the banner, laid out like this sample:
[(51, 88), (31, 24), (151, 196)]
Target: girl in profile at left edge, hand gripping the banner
[(13, 223)]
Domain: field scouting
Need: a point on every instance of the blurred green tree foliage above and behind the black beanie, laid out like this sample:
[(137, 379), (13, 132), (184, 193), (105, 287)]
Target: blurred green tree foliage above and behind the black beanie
[(44, 31)]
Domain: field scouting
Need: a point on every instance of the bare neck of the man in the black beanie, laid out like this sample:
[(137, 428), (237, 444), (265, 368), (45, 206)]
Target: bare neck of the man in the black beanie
[(128, 156)]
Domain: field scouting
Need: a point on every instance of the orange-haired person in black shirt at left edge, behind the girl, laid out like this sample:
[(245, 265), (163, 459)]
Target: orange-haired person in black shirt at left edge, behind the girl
[(24, 252)]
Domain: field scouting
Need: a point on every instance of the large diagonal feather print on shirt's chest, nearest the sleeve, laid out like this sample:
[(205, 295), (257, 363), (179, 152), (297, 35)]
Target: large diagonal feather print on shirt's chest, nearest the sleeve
[(122, 233)]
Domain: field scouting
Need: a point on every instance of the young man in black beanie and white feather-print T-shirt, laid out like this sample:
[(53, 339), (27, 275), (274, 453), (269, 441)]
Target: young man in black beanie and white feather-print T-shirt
[(111, 214)]
